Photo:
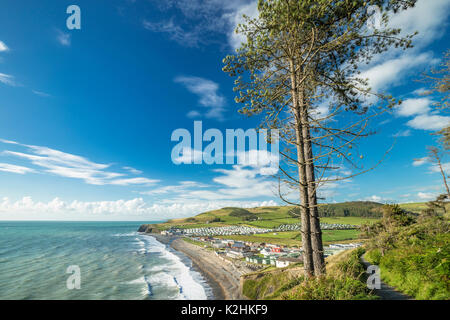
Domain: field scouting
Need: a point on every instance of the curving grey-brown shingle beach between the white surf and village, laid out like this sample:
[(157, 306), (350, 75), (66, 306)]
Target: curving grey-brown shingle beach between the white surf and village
[(222, 276)]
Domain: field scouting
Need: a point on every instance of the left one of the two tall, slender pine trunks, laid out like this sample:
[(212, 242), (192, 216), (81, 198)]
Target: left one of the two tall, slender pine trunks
[(303, 186)]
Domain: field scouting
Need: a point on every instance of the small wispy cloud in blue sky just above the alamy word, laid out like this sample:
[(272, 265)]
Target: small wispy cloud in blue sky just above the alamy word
[(208, 94)]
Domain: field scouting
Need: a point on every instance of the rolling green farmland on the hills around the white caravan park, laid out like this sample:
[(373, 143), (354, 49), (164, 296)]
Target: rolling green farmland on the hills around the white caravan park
[(353, 213)]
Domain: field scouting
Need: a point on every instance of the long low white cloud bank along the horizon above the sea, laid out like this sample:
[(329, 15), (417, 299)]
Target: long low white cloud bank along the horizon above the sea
[(137, 209)]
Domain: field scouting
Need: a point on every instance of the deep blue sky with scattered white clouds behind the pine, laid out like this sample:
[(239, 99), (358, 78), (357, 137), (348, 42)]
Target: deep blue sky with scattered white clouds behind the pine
[(86, 115)]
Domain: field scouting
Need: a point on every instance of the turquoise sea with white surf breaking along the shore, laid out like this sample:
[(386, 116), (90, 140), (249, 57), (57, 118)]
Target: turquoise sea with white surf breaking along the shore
[(115, 263)]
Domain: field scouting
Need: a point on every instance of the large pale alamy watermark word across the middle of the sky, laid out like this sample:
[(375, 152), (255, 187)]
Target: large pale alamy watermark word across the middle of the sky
[(248, 147)]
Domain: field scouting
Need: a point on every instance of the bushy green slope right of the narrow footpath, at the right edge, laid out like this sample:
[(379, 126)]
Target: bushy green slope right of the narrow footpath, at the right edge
[(413, 253)]
